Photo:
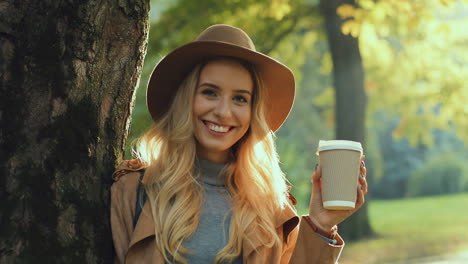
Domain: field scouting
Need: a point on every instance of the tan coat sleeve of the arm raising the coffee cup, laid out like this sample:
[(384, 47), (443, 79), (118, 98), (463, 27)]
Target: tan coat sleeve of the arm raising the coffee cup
[(306, 246)]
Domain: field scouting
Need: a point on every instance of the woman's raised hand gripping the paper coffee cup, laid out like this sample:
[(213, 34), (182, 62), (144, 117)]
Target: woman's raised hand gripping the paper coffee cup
[(326, 219)]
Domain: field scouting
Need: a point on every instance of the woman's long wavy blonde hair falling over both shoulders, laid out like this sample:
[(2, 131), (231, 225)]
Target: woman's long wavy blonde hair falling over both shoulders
[(254, 177)]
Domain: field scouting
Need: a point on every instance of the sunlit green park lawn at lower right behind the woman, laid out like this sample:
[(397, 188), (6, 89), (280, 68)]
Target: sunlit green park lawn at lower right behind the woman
[(412, 228)]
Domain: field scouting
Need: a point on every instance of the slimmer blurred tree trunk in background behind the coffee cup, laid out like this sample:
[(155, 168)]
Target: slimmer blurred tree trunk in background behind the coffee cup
[(350, 99)]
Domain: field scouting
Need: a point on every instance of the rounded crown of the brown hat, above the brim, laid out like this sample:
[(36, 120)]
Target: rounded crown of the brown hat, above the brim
[(227, 34)]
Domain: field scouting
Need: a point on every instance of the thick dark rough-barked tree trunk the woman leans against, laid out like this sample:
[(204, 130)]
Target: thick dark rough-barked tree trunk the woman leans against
[(68, 75)]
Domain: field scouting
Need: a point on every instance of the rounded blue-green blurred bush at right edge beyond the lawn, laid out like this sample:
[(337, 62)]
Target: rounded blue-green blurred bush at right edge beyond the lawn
[(442, 174)]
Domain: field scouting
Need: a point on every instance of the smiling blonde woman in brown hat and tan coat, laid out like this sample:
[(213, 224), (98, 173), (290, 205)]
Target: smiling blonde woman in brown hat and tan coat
[(214, 190)]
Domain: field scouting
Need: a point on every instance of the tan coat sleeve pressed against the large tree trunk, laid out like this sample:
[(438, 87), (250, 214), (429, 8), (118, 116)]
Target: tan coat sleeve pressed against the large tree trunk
[(123, 200)]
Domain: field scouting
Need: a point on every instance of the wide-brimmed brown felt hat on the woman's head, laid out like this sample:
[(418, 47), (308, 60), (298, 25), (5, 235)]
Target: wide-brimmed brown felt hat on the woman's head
[(221, 41)]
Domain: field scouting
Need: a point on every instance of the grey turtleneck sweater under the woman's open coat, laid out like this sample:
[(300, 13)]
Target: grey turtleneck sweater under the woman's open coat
[(212, 233)]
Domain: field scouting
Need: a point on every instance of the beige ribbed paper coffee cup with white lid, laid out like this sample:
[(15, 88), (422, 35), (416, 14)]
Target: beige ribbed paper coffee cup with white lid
[(340, 163)]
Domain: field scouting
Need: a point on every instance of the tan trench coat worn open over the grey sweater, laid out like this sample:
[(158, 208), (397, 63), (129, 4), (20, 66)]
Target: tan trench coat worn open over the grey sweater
[(137, 245)]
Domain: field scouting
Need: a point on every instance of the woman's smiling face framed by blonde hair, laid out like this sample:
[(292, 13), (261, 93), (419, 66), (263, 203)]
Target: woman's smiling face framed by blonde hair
[(222, 108)]
